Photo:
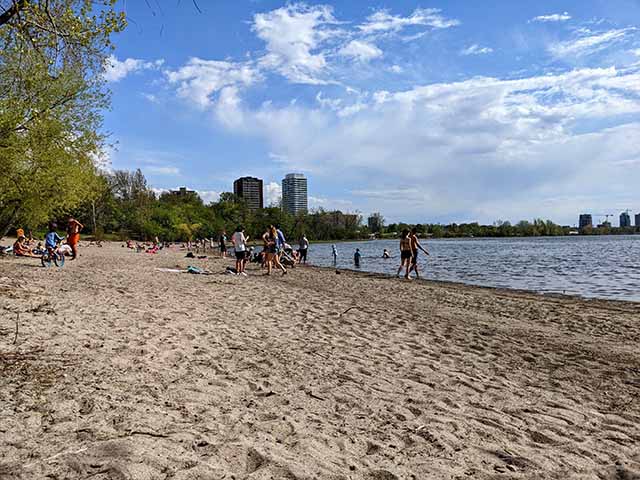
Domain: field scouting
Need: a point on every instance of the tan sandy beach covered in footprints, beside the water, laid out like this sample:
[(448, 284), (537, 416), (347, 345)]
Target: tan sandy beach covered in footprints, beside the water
[(121, 371)]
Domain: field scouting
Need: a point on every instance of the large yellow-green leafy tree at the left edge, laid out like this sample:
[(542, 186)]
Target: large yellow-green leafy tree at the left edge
[(52, 54)]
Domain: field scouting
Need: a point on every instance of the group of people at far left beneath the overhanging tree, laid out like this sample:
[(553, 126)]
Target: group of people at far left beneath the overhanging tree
[(29, 247)]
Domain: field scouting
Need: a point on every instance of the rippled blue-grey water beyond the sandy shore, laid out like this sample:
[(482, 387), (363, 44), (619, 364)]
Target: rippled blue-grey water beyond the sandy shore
[(595, 266)]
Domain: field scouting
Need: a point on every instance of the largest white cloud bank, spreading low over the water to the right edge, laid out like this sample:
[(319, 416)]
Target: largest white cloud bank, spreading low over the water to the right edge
[(466, 146)]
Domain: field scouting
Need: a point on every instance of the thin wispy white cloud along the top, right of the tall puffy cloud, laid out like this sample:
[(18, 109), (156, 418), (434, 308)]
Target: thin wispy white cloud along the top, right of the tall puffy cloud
[(383, 21)]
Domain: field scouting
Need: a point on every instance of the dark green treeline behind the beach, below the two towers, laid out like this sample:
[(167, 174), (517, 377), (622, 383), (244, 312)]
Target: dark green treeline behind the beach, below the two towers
[(125, 207)]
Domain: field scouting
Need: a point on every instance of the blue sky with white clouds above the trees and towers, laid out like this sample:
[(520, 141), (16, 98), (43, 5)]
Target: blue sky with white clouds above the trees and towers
[(428, 112)]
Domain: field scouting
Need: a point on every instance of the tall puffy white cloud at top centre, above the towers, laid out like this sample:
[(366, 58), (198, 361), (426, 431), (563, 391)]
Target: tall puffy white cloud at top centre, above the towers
[(293, 37)]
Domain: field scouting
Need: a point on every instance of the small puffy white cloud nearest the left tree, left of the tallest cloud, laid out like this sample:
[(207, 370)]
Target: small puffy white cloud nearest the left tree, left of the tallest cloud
[(199, 79)]
